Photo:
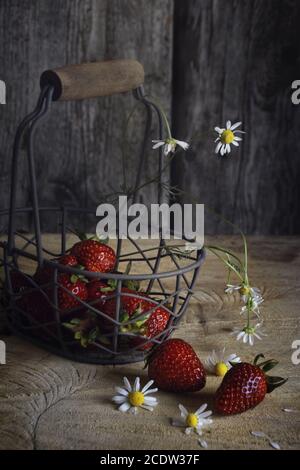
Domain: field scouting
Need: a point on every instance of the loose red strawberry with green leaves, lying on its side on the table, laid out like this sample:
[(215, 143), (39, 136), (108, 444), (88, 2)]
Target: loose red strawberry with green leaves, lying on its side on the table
[(245, 385)]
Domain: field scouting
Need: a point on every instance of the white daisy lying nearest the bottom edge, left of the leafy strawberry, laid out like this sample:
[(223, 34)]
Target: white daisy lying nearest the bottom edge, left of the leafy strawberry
[(193, 421)]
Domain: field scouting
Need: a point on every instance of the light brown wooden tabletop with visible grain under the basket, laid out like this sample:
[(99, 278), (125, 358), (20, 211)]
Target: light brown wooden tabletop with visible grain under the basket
[(51, 403)]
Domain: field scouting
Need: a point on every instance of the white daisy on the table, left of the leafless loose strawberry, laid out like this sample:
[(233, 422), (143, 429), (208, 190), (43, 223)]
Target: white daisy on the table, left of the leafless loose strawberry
[(130, 398)]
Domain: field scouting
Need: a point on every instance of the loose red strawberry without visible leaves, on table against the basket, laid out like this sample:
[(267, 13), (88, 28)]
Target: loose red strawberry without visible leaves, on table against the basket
[(175, 367)]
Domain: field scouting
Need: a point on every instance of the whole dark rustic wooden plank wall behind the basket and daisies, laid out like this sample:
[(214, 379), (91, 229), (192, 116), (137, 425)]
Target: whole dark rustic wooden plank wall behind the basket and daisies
[(206, 60)]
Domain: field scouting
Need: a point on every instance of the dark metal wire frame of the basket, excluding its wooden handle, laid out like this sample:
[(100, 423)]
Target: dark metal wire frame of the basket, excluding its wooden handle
[(23, 324)]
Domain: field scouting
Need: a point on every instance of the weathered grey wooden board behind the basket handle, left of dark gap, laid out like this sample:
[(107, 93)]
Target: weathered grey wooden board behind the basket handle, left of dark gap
[(79, 146)]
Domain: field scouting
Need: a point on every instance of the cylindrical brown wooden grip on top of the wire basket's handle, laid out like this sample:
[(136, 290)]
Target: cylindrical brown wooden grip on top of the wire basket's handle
[(89, 80)]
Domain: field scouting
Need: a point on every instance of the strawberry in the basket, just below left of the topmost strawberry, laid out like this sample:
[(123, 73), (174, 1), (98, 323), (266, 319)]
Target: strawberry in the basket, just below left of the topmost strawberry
[(74, 285)]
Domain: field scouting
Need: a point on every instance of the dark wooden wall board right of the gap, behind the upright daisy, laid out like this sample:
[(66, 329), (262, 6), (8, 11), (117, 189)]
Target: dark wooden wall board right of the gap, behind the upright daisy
[(236, 60)]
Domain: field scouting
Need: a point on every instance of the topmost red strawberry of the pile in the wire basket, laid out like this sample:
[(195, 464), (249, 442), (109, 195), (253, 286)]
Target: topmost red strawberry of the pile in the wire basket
[(94, 255)]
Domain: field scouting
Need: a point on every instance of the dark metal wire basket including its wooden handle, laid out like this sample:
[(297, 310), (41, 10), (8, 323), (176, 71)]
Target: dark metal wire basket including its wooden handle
[(33, 310)]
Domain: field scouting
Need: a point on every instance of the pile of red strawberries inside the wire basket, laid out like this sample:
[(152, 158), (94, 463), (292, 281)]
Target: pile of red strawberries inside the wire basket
[(141, 317)]
